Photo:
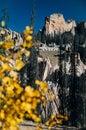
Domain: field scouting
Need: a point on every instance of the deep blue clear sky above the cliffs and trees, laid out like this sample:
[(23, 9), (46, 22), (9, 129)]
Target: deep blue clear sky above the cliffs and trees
[(20, 11)]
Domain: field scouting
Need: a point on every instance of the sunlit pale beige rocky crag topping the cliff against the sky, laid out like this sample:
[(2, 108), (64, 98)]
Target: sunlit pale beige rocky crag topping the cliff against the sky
[(57, 24)]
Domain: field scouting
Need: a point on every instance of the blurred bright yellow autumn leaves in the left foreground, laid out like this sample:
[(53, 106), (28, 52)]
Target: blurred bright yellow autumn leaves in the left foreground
[(16, 102)]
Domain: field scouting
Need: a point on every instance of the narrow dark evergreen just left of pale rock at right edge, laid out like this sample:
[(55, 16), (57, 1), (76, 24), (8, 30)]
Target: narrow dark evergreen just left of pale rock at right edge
[(73, 112)]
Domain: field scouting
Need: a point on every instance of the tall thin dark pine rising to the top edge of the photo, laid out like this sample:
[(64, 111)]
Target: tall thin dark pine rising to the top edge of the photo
[(32, 75)]
